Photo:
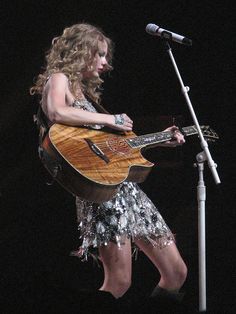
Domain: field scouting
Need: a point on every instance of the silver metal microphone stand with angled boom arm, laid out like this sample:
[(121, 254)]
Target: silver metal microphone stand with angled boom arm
[(201, 189)]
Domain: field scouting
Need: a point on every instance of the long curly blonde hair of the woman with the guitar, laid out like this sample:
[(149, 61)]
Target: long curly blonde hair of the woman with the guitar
[(72, 53)]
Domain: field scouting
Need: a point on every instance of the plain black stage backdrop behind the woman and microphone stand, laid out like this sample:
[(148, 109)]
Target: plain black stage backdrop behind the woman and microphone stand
[(38, 222)]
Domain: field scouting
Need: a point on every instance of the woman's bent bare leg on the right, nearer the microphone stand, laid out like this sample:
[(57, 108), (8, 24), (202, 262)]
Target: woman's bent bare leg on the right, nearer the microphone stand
[(168, 261)]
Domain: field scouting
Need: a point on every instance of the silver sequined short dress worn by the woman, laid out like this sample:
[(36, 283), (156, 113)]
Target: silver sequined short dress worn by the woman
[(129, 214)]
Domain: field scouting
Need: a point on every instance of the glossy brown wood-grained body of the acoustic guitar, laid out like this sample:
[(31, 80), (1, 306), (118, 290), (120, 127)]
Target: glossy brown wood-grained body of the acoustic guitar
[(92, 163)]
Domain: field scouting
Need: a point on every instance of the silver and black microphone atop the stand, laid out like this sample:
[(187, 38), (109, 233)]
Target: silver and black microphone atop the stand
[(156, 30)]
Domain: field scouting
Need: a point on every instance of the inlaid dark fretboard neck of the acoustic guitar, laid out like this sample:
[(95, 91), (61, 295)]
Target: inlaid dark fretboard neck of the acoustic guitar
[(159, 137)]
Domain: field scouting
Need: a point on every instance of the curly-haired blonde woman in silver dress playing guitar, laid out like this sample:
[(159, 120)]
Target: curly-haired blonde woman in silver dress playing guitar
[(69, 90)]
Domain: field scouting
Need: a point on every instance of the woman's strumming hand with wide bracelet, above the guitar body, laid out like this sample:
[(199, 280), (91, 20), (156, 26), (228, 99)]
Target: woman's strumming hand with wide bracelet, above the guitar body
[(120, 122)]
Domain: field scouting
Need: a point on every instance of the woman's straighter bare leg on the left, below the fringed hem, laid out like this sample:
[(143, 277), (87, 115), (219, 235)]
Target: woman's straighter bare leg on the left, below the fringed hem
[(117, 268)]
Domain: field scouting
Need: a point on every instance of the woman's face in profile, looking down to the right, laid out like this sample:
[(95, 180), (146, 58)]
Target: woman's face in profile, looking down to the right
[(99, 63)]
